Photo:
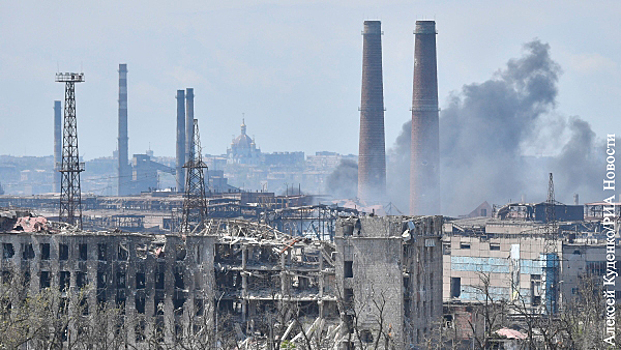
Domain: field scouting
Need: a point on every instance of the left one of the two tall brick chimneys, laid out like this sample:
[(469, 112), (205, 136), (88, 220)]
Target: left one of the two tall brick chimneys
[(371, 148)]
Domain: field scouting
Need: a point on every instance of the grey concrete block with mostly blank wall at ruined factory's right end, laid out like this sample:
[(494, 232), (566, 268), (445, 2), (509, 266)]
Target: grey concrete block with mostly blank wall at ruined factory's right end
[(389, 272)]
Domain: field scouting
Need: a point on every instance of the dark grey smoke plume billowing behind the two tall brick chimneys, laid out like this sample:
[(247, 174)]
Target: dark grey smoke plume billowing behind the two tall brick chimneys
[(486, 132)]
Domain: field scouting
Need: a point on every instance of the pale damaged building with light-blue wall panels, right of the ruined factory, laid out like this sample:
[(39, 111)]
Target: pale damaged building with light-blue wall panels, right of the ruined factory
[(519, 257)]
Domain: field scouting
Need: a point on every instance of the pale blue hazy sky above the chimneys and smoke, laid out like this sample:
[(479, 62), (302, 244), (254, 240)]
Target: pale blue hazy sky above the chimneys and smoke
[(292, 67)]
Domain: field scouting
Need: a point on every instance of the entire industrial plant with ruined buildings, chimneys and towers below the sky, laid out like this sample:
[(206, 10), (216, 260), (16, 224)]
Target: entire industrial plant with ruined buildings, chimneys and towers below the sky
[(247, 249)]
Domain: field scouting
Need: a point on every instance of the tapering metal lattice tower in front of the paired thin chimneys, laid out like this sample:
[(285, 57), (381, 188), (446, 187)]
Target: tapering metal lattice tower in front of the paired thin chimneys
[(194, 201)]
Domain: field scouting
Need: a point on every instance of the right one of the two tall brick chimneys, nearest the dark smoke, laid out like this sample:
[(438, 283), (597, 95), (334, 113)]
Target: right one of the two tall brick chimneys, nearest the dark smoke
[(425, 151)]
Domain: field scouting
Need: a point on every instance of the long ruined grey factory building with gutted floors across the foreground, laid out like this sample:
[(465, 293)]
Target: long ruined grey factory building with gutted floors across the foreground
[(238, 283)]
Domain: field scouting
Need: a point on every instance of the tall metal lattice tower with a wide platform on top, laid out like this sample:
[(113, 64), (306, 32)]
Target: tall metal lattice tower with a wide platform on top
[(70, 166)]
